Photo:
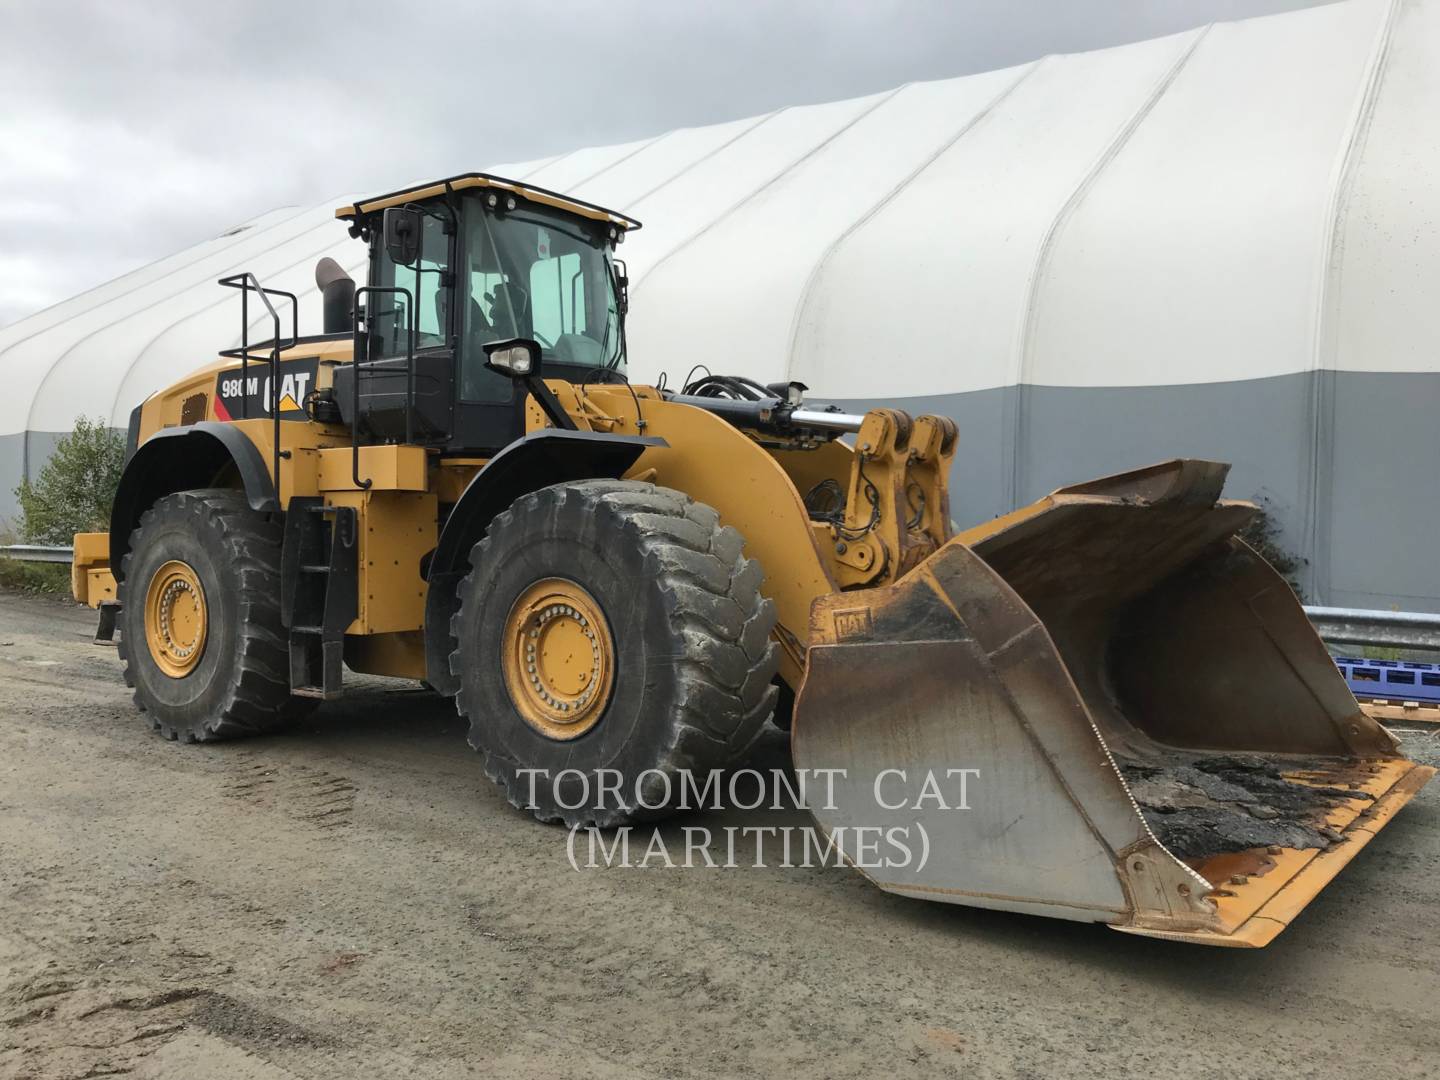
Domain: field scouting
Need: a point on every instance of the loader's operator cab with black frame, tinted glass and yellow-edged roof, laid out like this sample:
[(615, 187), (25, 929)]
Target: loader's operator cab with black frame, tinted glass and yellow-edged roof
[(462, 264)]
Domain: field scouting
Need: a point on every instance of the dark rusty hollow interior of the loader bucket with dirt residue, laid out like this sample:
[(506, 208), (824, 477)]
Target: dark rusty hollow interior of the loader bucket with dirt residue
[(1206, 682)]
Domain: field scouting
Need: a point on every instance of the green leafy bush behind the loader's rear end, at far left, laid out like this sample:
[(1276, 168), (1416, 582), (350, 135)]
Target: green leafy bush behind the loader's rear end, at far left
[(76, 487)]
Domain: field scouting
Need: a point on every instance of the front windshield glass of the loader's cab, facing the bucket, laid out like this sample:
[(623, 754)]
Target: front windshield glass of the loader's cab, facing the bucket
[(539, 277)]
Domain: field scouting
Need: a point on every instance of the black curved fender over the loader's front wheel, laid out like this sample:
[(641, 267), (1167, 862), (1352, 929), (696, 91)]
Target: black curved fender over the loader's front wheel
[(536, 462)]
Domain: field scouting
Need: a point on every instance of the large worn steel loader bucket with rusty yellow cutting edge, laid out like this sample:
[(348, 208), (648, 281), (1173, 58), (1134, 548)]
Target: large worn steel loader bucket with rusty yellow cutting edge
[(1105, 708)]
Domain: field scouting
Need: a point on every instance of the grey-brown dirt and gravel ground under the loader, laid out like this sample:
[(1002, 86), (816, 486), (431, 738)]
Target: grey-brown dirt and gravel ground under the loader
[(355, 899)]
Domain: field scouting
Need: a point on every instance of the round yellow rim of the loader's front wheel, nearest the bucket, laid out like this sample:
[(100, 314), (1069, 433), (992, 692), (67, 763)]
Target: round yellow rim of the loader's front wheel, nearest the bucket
[(559, 659)]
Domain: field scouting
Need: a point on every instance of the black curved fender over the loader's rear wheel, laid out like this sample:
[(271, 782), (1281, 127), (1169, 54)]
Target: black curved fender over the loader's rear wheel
[(178, 460)]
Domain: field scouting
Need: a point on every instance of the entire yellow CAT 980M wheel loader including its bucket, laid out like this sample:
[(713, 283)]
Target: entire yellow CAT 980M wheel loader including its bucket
[(457, 483)]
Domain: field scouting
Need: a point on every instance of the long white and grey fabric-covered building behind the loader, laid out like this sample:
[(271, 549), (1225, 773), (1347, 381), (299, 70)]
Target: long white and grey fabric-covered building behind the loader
[(1218, 244)]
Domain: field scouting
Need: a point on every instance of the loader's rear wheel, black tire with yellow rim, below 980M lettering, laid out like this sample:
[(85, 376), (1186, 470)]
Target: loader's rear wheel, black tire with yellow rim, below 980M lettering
[(225, 673)]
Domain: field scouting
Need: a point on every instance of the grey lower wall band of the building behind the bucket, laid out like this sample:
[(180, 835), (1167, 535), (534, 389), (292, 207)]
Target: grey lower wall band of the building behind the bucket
[(1369, 536)]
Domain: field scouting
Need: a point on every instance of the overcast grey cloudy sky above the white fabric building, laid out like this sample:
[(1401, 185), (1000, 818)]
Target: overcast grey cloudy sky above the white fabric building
[(133, 130)]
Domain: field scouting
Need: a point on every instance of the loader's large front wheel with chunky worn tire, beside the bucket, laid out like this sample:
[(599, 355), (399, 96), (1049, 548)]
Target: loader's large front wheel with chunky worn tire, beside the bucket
[(682, 626)]
